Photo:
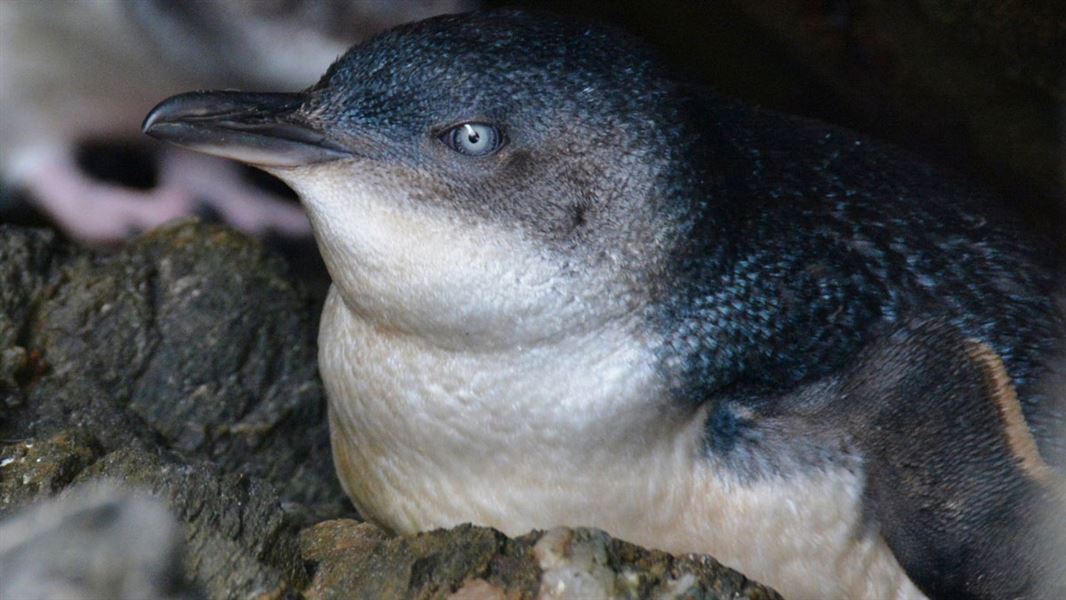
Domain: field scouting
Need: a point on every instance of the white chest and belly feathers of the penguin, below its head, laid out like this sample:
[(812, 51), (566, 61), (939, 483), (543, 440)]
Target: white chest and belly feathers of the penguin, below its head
[(570, 434)]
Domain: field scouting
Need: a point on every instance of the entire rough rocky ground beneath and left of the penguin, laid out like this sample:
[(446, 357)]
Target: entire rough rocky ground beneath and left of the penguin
[(184, 367)]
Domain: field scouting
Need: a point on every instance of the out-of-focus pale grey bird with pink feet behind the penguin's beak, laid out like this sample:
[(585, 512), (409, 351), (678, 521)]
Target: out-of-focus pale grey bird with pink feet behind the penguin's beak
[(78, 72)]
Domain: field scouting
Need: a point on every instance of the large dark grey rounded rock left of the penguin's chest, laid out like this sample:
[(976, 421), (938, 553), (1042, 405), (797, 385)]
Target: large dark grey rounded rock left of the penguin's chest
[(190, 338)]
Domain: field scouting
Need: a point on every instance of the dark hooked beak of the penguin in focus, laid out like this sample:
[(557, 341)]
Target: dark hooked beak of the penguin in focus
[(259, 129)]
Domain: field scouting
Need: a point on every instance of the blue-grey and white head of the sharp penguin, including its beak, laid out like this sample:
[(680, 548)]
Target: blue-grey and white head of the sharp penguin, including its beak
[(496, 176)]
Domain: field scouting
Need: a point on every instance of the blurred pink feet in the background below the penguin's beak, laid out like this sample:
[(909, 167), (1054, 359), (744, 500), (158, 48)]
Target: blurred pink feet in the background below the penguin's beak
[(96, 213)]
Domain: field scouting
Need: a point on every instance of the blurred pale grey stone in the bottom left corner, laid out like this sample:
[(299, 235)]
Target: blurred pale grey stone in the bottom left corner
[(98, 542)]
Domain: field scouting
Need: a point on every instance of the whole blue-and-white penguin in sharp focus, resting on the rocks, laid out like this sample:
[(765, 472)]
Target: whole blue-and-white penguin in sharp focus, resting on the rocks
[(571, 288)]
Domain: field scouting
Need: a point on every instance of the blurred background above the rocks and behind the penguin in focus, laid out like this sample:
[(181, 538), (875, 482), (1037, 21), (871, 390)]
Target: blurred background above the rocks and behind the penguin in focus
[(978, 87)]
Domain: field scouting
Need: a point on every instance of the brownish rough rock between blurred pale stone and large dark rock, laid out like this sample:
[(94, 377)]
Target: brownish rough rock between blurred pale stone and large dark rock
[(243, 541)]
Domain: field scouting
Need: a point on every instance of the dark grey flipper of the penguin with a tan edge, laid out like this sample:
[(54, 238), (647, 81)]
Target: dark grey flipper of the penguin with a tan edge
[(955, 480)]
